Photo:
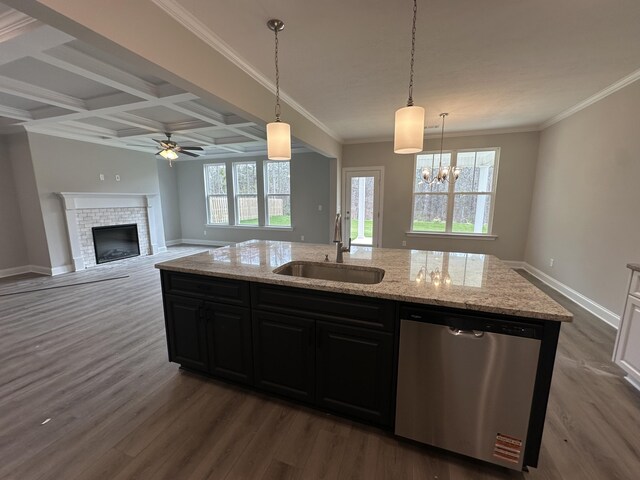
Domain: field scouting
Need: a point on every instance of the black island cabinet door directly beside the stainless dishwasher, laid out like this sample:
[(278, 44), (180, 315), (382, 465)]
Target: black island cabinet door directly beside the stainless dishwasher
[(354, 370)]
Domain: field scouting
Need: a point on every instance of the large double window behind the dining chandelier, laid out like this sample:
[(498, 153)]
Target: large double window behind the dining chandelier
[(464, 206)]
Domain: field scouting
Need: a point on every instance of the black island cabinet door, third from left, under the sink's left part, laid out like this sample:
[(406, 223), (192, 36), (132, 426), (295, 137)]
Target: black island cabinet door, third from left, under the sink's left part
[(284, 354)]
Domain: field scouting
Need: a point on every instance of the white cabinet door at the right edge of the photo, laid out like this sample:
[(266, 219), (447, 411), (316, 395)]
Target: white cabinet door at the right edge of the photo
[(628, 343)]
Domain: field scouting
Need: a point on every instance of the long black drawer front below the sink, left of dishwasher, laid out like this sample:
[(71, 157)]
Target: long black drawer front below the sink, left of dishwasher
[(348, 309)]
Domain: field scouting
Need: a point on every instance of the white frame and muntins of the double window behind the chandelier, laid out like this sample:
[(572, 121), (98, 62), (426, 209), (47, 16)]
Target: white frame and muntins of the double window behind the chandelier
[(451, 195)]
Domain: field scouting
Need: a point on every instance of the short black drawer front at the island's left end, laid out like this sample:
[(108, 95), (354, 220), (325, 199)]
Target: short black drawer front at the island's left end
[(214, 289)]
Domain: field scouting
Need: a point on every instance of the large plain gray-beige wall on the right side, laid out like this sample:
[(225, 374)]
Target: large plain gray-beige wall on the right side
[(586, 199)]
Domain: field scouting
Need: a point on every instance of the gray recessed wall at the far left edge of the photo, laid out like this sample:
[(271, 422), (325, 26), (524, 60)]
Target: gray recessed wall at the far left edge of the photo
[(13, 248)]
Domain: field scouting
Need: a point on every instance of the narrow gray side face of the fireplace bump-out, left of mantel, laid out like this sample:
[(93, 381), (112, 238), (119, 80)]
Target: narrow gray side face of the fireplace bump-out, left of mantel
[(27, 195)]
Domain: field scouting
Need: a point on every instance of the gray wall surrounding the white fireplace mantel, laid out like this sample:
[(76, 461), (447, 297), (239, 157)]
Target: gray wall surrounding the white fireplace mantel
[(62, 165)]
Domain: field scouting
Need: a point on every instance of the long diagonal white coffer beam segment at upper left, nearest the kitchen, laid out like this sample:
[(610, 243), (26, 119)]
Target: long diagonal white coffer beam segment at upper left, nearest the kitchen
[(79, 63)]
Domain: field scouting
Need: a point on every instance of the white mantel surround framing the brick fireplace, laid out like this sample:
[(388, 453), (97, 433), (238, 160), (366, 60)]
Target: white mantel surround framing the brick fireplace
[(74, 201)]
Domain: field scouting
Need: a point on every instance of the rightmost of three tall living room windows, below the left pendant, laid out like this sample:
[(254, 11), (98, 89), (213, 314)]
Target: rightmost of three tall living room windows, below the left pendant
[(277, 194)]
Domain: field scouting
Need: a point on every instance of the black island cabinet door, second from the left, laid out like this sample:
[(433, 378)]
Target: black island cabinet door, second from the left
[(229, 342)]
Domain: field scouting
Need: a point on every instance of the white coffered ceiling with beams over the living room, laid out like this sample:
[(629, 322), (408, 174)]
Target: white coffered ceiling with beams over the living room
[(54, 84)]
